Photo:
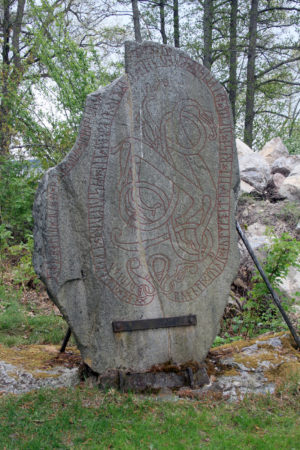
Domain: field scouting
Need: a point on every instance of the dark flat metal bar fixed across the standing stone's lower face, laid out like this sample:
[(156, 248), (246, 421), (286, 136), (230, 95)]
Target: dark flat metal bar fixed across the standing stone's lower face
[(147, 324)]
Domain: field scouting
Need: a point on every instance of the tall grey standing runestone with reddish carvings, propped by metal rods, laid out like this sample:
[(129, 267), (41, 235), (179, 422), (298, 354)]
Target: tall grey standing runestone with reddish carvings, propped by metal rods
[(137, 222)]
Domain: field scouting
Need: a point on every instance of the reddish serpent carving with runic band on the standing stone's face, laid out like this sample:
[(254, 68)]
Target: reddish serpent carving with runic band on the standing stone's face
[(166, 195)]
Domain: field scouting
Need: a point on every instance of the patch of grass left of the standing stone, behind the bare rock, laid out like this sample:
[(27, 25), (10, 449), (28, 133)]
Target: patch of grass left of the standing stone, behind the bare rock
[(21, 324)]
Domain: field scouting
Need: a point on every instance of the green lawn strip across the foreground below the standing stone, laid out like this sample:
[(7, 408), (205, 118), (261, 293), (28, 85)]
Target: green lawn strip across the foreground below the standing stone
[(86, 418)]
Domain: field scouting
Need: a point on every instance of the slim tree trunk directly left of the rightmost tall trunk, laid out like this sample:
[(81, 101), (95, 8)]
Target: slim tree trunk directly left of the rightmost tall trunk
[(232, 85)]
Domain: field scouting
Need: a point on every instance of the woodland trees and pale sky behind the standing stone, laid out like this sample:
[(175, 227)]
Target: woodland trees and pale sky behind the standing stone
[(55, 52)]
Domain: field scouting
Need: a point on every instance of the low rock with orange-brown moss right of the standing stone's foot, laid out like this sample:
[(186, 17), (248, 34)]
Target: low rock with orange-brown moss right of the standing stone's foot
[(254, 367)]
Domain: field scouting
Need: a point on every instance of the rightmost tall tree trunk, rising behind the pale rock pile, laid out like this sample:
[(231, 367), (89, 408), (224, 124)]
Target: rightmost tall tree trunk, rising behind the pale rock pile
[(250, 90)]
